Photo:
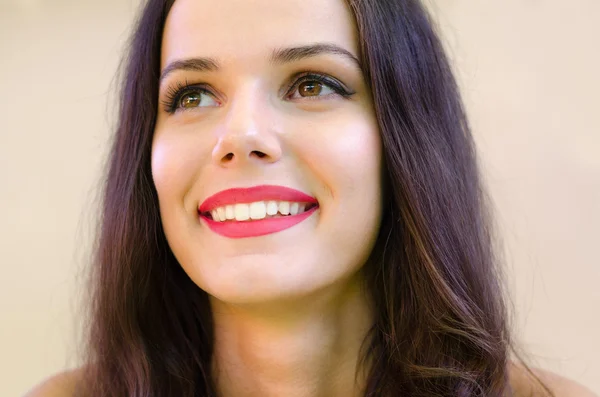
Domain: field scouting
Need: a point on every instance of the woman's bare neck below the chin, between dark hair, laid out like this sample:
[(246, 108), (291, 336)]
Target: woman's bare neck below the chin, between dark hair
[(303, 347)]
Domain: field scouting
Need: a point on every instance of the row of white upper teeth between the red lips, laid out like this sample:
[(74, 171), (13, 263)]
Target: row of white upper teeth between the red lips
[(257, 210)]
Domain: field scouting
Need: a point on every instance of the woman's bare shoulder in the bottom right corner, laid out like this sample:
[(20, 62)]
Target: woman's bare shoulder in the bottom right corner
[(525, 385)]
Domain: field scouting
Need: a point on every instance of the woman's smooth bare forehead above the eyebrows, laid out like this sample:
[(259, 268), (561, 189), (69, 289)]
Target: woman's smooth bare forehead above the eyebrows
[(248, 30)]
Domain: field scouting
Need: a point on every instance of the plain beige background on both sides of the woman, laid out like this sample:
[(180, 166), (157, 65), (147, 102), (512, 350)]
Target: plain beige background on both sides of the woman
[(529, 70)]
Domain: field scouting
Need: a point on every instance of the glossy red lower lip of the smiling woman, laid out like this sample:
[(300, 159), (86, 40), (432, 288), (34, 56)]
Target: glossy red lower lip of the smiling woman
[(250, 228)]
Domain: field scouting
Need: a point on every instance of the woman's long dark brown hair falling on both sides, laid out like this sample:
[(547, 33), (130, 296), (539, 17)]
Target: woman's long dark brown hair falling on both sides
[(441, 324)]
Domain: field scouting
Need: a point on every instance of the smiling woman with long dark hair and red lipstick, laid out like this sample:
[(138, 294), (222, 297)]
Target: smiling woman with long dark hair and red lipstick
[(293, 208)]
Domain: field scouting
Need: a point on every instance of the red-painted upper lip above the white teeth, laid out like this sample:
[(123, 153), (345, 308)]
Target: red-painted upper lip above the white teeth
[(253, 194)]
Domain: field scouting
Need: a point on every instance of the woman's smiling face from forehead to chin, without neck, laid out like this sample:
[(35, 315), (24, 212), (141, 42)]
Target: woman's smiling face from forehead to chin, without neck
[(275, 98)]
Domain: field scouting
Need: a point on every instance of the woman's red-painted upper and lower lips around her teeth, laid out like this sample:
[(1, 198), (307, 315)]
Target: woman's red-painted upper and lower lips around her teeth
[(254, 228)]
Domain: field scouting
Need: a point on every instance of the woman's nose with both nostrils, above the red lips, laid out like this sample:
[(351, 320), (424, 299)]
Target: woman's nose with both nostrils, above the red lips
[(247, 134)]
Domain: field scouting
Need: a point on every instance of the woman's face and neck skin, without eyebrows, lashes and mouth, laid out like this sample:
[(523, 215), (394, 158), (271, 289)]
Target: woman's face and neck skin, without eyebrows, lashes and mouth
[(290, 314)]
